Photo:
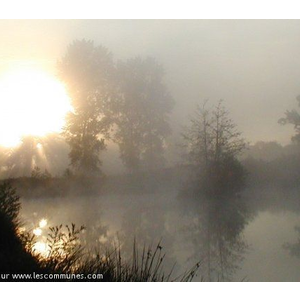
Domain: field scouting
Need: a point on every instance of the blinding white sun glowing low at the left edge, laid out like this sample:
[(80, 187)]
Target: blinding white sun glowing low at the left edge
[(32, 102)]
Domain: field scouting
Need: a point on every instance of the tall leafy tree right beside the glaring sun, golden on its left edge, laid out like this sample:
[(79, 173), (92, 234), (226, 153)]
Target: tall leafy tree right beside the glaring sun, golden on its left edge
[(87, 71)]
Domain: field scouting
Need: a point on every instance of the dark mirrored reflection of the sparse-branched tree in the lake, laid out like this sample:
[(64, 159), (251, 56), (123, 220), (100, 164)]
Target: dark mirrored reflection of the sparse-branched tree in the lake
[(216, 233)]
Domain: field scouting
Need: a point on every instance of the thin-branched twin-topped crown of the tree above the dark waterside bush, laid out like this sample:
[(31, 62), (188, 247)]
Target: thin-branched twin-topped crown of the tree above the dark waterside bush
[(212, 137)]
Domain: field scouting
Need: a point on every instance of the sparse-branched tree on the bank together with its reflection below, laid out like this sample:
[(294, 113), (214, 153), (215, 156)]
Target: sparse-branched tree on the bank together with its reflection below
[(217, 178)]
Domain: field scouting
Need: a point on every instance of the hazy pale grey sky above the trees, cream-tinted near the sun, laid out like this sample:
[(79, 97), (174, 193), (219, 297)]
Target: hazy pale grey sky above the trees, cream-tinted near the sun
[(253, 65)]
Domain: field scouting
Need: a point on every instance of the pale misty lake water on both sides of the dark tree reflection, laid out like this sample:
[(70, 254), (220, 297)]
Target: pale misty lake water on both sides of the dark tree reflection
[(152, 217)]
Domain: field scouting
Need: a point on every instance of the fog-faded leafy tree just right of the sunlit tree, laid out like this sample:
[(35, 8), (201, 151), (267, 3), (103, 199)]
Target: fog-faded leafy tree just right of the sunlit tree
[(141, 113)]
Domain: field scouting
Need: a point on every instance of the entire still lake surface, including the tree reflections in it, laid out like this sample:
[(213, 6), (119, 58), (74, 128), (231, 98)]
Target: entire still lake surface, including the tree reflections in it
[(251, 245)]
